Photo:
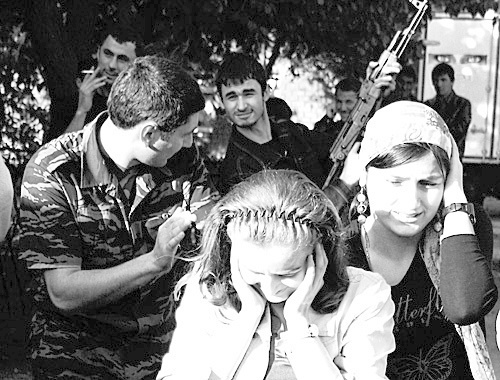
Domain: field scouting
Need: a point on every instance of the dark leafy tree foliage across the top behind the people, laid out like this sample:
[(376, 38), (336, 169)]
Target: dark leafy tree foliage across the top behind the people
[(44, 41)]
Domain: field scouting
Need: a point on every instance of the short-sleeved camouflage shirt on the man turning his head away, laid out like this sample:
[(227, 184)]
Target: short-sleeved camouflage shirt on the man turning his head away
[(74, 214)]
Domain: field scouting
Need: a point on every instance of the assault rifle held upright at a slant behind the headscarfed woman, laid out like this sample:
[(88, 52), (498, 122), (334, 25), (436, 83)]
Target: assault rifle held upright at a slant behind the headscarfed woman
[(367, 97)]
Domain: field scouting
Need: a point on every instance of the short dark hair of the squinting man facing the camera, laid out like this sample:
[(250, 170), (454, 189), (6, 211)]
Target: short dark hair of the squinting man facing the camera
[(239, 67)]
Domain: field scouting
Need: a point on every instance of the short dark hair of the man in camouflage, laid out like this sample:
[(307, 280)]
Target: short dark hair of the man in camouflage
[(154, 88)]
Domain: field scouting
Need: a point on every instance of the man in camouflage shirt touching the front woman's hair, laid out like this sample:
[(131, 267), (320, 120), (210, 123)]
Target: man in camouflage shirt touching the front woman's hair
[(102, 281)]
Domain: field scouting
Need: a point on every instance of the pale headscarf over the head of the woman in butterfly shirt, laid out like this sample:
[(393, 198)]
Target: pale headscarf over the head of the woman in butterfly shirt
[(403, 122)]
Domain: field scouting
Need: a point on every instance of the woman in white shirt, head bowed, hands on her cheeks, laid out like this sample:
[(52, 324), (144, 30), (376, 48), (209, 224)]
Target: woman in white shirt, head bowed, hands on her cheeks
[(271, 297)]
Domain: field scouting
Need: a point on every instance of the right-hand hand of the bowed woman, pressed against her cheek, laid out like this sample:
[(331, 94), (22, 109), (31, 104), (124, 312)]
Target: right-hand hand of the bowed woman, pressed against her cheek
[(298, 305)]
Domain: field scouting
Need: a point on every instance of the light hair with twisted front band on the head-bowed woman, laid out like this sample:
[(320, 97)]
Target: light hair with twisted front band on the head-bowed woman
[(278, 206)]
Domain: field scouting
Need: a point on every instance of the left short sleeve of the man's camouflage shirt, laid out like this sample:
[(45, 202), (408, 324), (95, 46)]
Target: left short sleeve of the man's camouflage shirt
[(49, 237)]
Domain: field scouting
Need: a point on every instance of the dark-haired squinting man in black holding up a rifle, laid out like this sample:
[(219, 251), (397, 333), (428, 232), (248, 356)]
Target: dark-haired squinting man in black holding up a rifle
[(256, 144)]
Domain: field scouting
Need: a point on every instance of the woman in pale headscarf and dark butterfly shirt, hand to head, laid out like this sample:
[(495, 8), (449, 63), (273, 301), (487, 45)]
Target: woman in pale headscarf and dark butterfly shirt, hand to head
[(416, 230)]
